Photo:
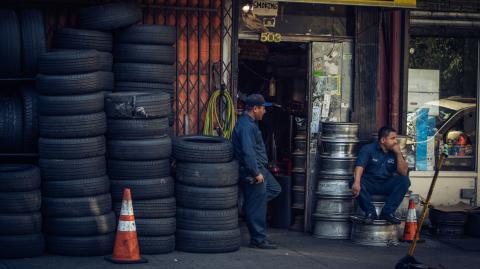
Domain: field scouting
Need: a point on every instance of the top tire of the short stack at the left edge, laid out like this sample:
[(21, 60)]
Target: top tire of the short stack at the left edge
[(19, 177)]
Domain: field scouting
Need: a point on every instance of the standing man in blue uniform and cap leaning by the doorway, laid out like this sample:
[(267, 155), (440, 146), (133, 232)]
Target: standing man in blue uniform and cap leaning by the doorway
[(259, 185)]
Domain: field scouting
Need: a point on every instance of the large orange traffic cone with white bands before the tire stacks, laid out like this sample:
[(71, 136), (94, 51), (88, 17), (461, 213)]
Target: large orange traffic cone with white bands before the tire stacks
[(126, 248)]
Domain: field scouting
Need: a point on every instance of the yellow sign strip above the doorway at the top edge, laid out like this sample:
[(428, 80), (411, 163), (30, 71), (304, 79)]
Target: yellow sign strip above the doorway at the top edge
[(378, 3)]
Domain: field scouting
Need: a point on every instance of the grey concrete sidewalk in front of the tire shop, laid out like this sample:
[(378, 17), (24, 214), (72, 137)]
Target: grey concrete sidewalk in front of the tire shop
[(297, 250)]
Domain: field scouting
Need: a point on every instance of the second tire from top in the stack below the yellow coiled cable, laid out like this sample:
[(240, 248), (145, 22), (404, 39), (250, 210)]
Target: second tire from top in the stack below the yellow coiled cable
[(207, 174)]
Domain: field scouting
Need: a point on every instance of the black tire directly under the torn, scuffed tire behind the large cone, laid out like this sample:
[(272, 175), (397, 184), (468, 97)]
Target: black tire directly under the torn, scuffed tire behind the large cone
[(137, 128)]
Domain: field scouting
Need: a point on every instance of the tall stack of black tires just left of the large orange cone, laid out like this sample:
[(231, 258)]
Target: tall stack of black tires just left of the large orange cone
[(77, 206)]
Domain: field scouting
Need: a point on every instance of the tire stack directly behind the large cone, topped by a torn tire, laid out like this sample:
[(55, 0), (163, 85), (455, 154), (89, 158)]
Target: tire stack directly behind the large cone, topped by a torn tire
[(139, 150)]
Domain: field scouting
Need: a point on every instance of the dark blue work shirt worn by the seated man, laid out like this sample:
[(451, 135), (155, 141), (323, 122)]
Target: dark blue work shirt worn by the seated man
[(376, 163)]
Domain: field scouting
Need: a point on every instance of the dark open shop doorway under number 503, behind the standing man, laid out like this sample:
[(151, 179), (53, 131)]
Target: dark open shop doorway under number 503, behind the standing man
[(279, 71)]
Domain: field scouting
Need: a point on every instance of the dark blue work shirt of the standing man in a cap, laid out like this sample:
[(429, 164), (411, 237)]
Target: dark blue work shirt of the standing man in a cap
[(248, 146)]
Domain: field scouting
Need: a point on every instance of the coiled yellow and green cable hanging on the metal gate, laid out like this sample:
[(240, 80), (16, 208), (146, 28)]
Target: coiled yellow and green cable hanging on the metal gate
[(212, 117)]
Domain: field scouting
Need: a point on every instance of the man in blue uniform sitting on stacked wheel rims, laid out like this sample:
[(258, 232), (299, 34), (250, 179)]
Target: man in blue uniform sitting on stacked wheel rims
[(381, 169)]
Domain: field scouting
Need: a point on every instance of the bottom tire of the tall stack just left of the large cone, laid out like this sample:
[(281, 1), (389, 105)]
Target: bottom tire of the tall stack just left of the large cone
[(80, 245)]
